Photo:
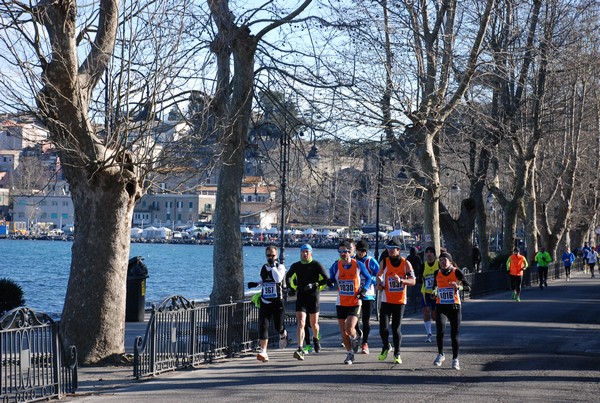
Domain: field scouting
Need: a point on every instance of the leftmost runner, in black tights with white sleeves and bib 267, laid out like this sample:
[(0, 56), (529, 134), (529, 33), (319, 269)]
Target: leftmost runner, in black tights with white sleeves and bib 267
[(272, 275)]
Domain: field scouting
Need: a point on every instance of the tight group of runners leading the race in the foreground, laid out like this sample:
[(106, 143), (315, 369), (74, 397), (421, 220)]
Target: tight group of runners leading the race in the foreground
[(356, 277)]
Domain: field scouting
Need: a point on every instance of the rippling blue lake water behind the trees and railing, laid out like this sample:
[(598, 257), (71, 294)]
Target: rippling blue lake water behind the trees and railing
[(42, 269)]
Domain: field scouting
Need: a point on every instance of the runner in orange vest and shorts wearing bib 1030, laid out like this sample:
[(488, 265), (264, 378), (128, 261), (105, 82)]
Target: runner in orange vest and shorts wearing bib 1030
[(353, 280)]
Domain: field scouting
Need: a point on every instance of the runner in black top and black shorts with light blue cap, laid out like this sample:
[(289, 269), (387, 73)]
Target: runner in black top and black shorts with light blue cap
[(310, 276)]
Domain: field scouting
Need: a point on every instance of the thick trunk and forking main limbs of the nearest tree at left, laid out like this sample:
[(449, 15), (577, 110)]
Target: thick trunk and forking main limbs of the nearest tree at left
[(103, 182)]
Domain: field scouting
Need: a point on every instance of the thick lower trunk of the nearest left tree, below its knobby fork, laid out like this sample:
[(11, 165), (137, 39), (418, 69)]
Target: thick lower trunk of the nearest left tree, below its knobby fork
[(93, 317)]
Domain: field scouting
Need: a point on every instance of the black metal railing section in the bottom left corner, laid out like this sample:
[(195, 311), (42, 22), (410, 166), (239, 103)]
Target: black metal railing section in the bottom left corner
[(33, 364)]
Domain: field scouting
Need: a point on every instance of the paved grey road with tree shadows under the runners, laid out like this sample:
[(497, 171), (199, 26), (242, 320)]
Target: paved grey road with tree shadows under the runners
[(543, 349)]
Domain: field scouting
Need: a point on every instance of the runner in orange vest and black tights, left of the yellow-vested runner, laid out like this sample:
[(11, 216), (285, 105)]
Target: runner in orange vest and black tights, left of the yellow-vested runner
[(394, 276)]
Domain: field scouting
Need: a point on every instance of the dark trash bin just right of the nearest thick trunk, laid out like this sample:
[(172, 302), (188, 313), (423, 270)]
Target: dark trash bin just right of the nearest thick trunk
[(135, 300)]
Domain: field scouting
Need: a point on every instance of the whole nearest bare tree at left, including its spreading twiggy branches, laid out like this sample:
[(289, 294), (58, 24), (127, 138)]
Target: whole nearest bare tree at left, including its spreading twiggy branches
[(60, 55)]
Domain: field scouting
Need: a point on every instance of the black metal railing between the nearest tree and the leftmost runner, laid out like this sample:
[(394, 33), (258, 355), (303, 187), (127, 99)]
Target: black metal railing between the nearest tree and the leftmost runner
[(182, 334)]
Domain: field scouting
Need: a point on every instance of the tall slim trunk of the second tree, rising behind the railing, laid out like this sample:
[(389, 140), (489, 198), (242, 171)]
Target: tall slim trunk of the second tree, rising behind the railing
[(233, 103)]
